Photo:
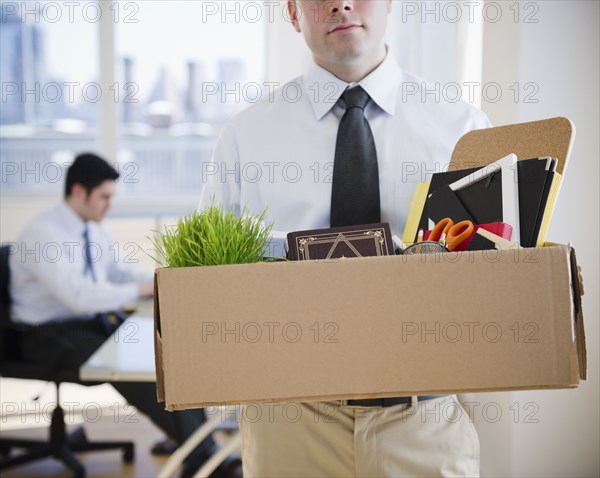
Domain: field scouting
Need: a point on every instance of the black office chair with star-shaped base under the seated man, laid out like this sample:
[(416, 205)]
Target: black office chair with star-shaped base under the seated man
[(60, 445)]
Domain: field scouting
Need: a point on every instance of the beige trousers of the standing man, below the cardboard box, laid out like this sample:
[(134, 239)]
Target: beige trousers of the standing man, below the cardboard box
[(432, 438)]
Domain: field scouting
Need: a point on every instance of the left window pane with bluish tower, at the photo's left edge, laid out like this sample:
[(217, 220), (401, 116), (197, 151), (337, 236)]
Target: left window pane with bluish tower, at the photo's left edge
[(50, 92)]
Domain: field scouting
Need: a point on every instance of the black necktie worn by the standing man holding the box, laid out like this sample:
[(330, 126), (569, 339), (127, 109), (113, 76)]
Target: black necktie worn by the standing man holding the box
[(355, 191)]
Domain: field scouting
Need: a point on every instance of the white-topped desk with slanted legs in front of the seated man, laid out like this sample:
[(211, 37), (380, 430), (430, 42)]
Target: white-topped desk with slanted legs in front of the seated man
[(128, 355)]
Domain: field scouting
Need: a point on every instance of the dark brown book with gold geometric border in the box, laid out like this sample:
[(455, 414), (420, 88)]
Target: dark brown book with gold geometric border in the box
[(336, 242)]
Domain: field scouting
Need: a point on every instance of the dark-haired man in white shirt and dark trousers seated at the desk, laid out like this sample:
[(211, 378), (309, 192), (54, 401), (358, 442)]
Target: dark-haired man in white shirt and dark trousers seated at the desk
[(67, 291)]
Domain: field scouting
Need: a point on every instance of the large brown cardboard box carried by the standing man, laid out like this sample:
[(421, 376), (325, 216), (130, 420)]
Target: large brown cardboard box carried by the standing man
[(370, 327)]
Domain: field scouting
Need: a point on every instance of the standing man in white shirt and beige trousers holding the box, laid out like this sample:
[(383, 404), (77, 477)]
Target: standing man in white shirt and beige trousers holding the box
[(280, 154)]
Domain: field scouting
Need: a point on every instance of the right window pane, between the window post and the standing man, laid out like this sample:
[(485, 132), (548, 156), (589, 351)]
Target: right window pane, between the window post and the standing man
[(185, 67)]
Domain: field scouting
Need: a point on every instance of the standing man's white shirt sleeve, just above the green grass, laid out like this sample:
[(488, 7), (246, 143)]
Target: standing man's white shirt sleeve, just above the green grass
[(221, 183)]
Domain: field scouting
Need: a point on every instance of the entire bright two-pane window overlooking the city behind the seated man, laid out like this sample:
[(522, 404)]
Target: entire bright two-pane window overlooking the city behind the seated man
[(181, 69)]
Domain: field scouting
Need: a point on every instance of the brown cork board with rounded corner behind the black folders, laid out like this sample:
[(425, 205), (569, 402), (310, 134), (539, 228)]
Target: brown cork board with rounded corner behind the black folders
[(549, 137)]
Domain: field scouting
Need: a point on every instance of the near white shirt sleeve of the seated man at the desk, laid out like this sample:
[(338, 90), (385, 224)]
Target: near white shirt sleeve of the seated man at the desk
[(61, 276)]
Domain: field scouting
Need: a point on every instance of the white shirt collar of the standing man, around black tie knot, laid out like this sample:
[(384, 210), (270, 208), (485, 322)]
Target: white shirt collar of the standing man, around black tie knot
[(324, 88)]
